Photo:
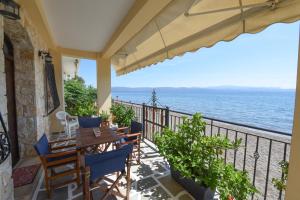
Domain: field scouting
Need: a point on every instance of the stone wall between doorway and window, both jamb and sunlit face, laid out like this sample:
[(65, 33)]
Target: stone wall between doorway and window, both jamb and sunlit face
[(29, 84)]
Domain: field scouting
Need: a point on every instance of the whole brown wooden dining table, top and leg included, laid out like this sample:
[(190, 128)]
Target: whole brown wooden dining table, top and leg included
[(85, 139)]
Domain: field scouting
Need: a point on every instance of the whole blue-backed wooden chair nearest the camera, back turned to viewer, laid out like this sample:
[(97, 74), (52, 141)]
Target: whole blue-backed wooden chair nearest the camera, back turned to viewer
[(102, 164)]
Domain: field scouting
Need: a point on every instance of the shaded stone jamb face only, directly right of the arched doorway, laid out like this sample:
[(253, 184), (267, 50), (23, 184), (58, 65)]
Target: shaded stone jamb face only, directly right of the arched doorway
[(24, 85)]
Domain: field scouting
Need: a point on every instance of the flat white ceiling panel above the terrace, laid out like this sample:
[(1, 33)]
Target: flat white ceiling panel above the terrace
[(84, 25)]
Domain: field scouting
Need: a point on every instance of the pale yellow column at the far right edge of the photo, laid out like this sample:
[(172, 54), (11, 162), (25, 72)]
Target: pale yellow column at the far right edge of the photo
[(293, 191)]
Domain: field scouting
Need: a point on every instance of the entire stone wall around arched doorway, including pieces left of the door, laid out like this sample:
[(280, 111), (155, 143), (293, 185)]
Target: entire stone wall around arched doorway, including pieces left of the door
[(29, 89)]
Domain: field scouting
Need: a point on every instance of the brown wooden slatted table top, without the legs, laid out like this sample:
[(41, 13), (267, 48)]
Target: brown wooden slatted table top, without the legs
[(85, 137)]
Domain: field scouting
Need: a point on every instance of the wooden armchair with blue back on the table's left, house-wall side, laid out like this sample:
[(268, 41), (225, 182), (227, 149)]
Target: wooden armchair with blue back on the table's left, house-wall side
[(53, 157)]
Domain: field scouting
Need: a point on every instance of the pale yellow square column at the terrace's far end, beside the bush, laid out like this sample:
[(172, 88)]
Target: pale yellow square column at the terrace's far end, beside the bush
[(103, 84)]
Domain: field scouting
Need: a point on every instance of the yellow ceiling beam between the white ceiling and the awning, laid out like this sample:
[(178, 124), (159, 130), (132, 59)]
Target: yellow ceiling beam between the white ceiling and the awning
[(140, 14)]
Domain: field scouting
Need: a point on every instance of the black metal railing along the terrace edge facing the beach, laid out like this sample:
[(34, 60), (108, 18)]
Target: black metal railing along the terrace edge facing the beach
[(260, 154)]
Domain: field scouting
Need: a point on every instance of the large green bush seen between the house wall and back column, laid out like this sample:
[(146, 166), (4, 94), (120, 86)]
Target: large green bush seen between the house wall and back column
[(80, 99)]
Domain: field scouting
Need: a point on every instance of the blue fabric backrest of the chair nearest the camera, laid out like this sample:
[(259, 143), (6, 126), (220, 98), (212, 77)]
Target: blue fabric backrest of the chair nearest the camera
[(108, 162)]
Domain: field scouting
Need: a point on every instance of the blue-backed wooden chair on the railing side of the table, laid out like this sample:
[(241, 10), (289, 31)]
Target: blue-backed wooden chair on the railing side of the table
[(132, 135)]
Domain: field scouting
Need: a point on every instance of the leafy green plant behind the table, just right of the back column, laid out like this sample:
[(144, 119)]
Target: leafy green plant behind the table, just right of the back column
[(122, 115)]
